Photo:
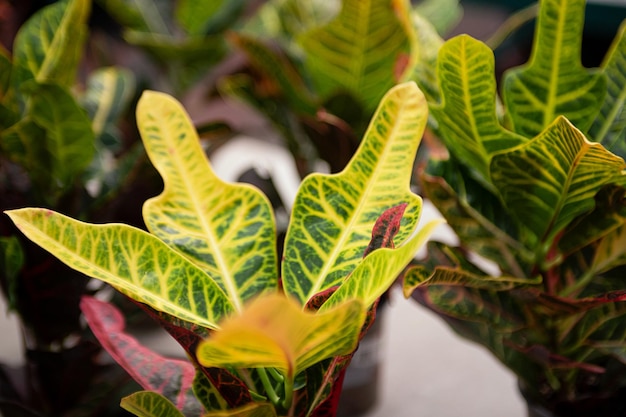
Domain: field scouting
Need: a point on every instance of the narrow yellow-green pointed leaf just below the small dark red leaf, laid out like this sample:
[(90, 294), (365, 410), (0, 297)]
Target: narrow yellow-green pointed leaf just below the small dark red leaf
[(379, 271)]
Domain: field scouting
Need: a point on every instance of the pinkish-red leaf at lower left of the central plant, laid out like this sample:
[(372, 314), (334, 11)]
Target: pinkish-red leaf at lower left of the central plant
[(172, 378)]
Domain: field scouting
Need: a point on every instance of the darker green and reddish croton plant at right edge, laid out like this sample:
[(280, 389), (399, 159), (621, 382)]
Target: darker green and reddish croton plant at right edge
[(534, 184)]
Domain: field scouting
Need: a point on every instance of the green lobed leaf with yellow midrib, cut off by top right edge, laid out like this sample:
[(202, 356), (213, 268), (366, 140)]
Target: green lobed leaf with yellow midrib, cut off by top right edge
[(554, 82)]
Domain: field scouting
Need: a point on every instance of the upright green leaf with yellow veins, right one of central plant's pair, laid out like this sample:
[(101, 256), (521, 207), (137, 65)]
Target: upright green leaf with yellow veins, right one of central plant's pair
[(333, 215)]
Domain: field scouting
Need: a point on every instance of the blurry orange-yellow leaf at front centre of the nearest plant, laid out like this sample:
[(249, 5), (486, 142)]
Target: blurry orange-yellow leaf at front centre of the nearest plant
[(274, 332)]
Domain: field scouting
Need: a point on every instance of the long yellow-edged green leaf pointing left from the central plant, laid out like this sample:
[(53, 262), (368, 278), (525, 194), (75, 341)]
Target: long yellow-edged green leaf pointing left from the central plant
[(131, 260)]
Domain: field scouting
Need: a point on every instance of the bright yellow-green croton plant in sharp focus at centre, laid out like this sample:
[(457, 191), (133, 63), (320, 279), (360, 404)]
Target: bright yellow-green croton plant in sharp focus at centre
[(260, 340)]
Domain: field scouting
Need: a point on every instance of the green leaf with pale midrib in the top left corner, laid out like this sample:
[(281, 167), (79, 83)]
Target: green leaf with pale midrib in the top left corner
[(50, 44)]
